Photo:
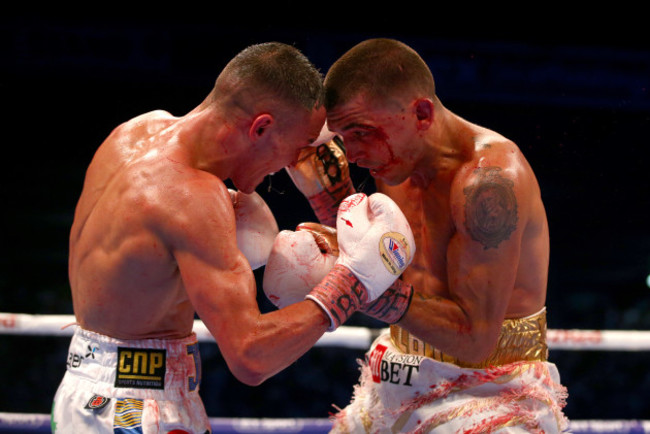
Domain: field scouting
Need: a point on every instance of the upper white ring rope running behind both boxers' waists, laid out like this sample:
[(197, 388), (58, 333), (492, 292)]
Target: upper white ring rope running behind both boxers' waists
[(346, 336)]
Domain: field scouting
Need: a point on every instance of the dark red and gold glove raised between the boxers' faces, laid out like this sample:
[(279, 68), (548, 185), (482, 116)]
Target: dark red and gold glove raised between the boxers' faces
[(322, 175)]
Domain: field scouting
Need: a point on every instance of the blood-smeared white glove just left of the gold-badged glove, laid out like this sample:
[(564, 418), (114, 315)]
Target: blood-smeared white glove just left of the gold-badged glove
[(298, 262)]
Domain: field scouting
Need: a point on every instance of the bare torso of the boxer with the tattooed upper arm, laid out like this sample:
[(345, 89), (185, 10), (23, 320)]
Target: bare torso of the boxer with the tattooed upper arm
[(428, 210)]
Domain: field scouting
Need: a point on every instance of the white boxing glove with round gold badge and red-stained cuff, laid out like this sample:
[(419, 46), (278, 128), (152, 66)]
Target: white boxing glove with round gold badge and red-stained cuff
[(376, 245)]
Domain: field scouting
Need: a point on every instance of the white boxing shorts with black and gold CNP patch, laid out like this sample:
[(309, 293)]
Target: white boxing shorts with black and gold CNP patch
[(140, 386)]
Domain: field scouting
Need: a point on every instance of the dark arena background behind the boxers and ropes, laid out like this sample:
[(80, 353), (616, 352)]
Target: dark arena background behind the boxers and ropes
[(571, 91)]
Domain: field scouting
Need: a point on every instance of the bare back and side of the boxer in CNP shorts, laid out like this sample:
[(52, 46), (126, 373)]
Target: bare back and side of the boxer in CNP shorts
[(124, 280)]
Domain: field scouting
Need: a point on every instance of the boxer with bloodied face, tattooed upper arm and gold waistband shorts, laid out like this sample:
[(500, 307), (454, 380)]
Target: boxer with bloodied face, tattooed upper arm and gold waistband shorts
[(479, 275)]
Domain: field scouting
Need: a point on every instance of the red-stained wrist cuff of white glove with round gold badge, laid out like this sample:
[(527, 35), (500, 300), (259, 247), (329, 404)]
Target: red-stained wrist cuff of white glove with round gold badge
[(339, 294)]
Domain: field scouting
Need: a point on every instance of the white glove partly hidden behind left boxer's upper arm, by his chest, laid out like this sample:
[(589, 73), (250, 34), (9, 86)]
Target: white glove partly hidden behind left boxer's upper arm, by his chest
[(256, 227)]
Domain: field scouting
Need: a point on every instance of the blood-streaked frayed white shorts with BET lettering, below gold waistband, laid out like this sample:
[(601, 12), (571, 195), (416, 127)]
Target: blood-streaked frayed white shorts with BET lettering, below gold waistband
[(406, 393)]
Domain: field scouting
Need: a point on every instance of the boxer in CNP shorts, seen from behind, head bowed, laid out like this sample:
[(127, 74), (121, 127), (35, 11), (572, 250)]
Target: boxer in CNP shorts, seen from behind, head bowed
[(158, 238)]
